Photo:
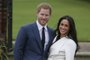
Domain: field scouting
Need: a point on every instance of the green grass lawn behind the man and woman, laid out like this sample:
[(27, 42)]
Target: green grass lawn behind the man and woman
[(24, 12)]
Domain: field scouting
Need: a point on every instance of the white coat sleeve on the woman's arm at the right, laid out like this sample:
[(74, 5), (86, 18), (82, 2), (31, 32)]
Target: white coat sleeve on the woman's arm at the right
[(70, 50)]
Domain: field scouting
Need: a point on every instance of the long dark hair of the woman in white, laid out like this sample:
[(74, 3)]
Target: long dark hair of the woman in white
[(72, 31)]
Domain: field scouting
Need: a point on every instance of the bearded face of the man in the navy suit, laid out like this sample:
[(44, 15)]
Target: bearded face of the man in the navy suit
[(43, 16)]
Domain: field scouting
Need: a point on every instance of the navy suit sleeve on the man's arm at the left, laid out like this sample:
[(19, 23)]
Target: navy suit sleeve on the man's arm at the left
[(19, 44)]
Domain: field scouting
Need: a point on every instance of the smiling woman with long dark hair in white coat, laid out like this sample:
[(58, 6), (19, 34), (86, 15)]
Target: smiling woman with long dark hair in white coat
[(65, 44)]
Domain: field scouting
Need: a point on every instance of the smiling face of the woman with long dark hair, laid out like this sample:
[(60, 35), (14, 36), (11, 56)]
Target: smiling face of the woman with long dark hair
[(64, 27)]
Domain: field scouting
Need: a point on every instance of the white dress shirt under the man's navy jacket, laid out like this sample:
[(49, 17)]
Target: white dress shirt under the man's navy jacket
[(46, 32)]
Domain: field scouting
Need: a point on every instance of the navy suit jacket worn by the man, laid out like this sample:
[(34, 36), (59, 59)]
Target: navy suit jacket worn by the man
[(28, 44)]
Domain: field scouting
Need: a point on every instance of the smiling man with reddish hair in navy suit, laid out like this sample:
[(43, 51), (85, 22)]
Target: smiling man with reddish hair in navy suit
[(28, 44)]
